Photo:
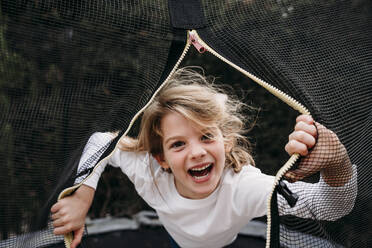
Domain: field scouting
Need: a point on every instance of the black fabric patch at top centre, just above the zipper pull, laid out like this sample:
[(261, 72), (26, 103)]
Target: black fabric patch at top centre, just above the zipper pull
[(187, 14)]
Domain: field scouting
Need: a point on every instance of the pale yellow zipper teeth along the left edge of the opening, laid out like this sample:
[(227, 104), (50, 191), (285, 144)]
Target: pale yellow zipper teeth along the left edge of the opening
[(68, 237)]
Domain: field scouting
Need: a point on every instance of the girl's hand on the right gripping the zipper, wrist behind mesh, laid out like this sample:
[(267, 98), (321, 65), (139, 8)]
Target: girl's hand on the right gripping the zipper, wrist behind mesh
[(328, 156)]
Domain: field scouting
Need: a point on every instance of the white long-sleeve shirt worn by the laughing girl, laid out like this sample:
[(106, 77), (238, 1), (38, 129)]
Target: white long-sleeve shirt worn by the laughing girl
[(216, 220)]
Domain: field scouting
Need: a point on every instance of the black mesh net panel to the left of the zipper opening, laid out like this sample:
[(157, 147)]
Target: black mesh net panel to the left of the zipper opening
[(68, 69)]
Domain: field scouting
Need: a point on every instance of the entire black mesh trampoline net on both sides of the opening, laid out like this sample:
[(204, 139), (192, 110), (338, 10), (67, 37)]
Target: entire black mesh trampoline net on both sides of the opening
[(71, 68)]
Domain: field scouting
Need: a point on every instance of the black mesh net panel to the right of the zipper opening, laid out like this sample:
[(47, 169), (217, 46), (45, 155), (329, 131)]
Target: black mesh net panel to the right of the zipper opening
[(319, 54)]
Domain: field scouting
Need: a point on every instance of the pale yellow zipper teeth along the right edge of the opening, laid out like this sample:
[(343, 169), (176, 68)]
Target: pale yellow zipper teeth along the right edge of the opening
[(282, 96)]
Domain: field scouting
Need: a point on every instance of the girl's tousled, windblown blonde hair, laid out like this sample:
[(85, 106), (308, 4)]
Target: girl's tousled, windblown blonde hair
[(191, 95)]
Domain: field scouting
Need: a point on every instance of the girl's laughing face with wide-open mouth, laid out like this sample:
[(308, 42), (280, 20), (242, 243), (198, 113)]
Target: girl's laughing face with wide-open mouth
[(196, 157)]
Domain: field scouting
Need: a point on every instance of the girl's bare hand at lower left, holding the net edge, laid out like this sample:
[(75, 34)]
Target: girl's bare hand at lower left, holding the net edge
[(69, 213)]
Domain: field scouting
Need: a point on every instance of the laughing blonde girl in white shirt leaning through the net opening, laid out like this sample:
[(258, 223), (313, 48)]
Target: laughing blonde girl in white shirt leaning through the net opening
[(191, 164)]
